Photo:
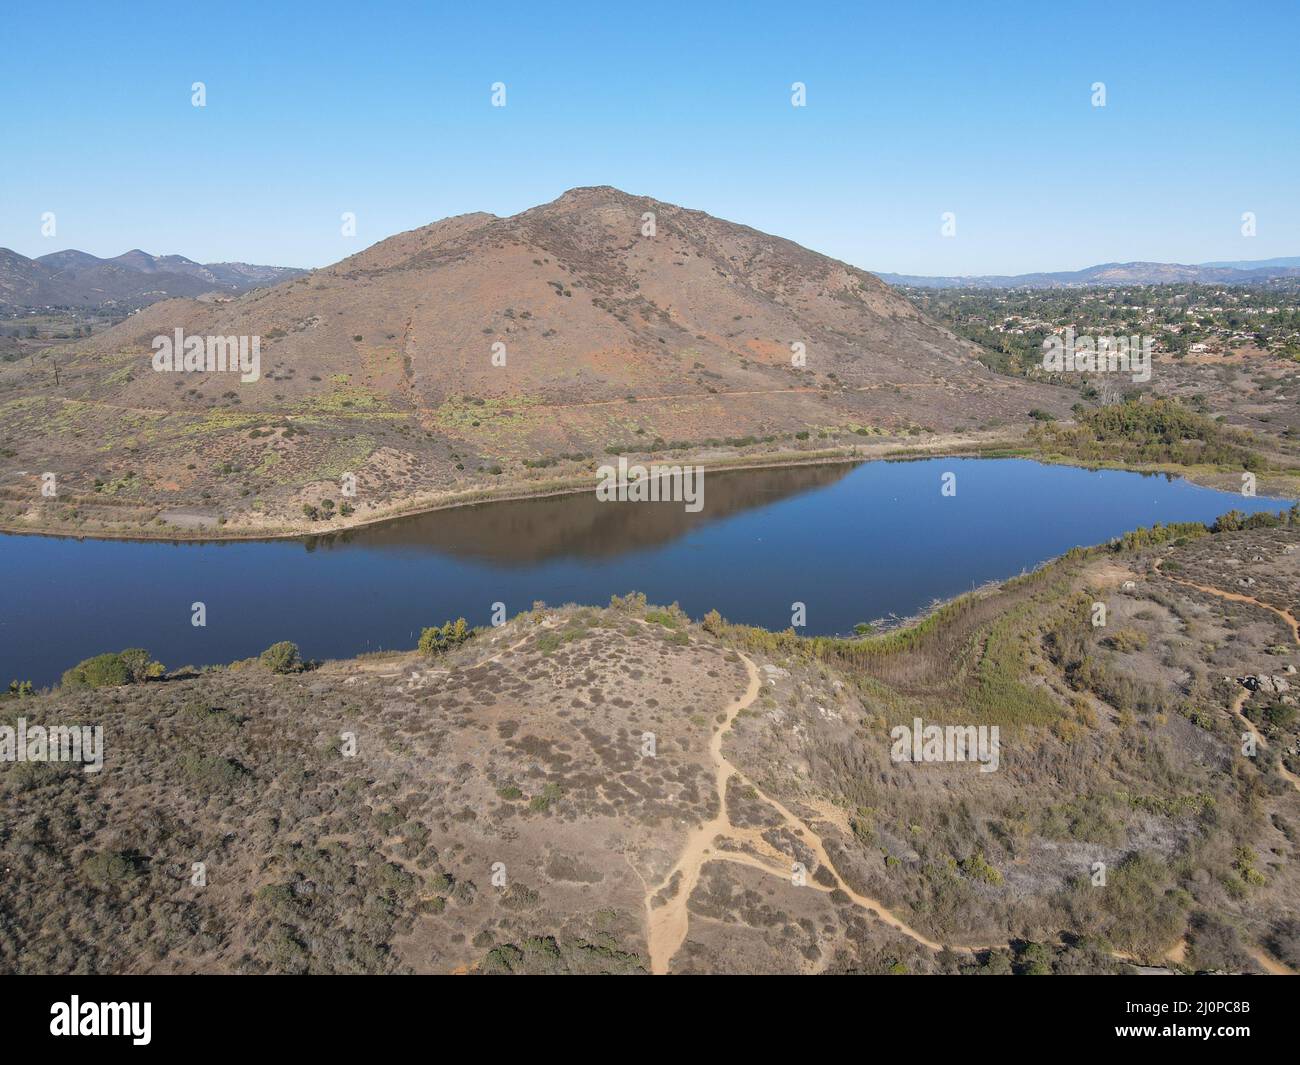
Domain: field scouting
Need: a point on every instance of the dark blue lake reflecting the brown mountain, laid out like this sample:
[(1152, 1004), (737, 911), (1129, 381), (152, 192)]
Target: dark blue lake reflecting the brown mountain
[(851, 543)]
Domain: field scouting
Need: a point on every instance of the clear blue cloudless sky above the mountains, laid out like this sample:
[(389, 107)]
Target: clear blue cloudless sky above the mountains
[(913, 110)]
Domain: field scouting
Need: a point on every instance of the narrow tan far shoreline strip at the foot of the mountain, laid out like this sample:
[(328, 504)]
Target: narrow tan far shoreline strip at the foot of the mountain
[(998, 449)]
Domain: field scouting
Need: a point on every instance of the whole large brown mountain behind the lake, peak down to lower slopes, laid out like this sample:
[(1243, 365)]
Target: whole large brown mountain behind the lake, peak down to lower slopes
[(677, 344)]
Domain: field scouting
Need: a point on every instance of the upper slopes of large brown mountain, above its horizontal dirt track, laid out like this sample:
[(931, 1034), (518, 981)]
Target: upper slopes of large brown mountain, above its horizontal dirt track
[(588, 309)]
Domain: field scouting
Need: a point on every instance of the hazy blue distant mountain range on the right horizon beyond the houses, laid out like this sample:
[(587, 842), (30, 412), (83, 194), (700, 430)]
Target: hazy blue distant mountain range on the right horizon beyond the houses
[(1242, 272)]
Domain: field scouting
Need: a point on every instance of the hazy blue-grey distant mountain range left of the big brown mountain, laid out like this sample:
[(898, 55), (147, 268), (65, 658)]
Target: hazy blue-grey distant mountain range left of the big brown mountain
[(127, 283)]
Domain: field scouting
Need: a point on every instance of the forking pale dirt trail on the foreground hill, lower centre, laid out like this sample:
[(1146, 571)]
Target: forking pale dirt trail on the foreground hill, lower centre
[(668, 924)]
